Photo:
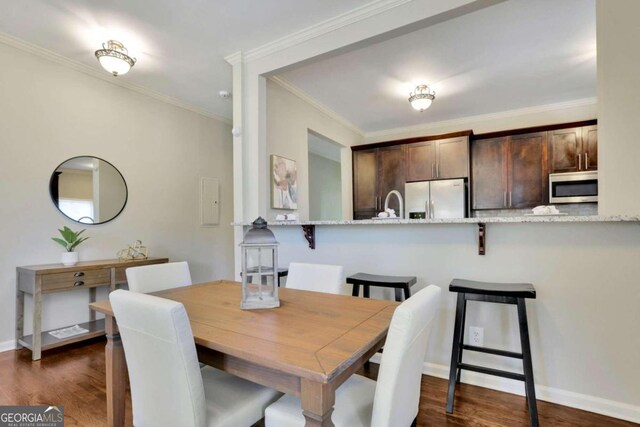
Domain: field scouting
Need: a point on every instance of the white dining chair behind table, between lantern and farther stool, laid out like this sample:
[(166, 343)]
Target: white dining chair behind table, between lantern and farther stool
[(316, 277)]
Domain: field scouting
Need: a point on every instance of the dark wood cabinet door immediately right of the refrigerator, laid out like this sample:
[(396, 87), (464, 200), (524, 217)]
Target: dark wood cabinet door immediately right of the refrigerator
[(489, 173)]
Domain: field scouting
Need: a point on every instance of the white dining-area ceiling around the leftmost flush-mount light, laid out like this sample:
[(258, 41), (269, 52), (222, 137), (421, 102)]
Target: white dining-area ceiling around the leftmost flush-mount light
[(180, 45)]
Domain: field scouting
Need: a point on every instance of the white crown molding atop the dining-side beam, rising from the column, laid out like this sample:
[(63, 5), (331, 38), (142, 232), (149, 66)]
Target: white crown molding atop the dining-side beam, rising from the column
[(358, 14)]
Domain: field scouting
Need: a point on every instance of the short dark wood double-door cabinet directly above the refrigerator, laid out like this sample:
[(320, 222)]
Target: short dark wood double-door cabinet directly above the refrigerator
[(438, 159)]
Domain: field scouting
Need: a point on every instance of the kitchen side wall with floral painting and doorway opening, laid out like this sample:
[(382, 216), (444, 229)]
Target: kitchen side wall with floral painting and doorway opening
[(289, 119)]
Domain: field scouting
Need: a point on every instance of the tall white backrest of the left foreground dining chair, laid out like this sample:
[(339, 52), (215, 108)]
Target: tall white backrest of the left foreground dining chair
[(166, 384)]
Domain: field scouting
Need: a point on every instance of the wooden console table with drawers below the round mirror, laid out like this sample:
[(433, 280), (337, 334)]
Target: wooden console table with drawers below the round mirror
[(37, 280)]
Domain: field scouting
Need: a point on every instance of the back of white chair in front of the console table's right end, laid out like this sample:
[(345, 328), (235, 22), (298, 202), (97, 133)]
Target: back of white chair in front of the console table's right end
[(158, 277)]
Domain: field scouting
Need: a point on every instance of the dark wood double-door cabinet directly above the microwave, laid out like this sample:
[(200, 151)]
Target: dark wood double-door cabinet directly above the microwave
[(573, 149)]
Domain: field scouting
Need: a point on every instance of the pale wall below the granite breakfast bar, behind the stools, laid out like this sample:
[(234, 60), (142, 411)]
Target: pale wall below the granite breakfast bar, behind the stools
[(581, 324)]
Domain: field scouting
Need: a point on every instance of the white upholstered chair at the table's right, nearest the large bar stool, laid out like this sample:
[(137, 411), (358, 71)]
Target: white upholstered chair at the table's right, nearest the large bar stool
[(394, 399)]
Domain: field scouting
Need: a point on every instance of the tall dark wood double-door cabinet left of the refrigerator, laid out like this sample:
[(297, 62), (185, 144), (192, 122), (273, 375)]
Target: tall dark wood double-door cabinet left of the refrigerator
[(376, 172)]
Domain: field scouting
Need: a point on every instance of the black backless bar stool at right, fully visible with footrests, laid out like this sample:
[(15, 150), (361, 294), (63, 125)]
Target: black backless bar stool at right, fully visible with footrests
[(502, 293)]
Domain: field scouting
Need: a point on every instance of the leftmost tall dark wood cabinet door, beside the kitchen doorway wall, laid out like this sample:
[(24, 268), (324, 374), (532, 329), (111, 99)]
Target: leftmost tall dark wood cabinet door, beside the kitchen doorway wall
[(365, 181)]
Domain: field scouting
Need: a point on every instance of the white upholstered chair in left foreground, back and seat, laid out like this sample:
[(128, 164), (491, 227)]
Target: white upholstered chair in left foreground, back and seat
[(167, 386)]
